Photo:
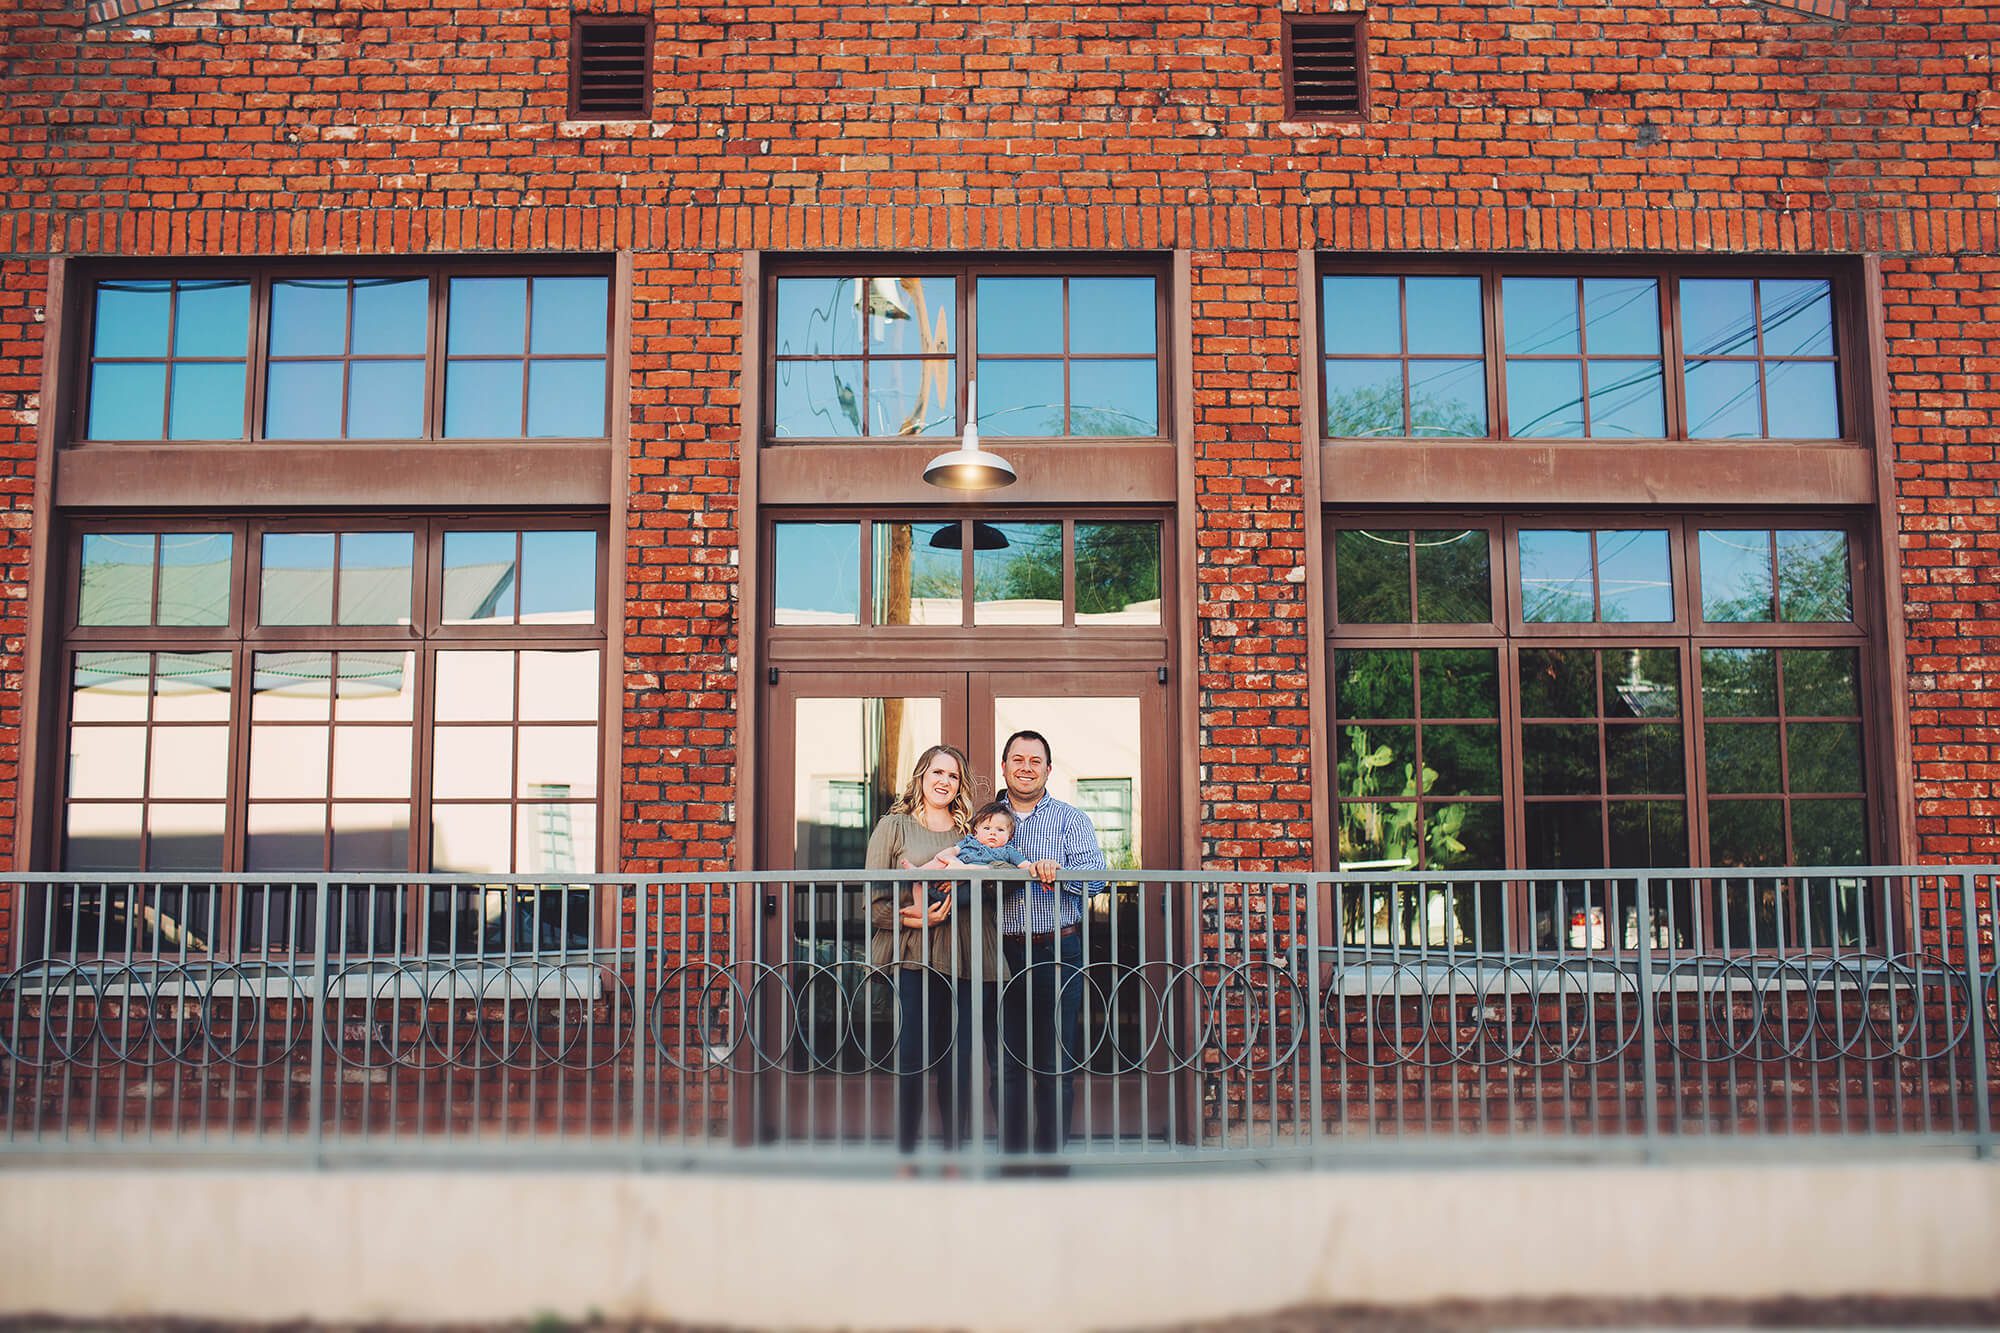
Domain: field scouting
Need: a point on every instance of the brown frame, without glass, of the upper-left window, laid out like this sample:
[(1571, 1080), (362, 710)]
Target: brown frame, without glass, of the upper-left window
[(257, 377)]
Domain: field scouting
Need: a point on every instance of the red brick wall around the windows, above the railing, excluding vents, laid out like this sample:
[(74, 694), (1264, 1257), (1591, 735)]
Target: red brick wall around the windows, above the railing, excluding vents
[(323, 127)]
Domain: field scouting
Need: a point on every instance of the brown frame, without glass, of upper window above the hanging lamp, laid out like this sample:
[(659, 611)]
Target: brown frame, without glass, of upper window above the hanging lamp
[(965, 321)]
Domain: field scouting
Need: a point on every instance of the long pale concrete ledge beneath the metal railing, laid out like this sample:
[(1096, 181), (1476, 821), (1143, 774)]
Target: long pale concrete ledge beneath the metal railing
[(979, 1256)]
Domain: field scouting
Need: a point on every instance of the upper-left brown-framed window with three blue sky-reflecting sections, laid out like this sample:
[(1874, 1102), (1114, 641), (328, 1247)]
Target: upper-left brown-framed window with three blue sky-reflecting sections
[(353, 351)]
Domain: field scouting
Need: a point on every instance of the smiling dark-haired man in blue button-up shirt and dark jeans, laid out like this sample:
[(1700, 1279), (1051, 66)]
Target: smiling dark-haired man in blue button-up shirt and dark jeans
[(1043, 948)]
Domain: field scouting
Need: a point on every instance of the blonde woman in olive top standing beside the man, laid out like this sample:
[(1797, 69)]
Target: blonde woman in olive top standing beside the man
[(929, 946)]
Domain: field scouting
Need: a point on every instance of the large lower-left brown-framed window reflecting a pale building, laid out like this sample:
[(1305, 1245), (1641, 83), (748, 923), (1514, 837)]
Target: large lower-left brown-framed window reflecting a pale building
[(335, 696)]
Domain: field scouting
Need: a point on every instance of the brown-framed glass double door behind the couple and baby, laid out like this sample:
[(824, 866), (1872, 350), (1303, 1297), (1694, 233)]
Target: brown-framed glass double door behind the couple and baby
[(843, 750)]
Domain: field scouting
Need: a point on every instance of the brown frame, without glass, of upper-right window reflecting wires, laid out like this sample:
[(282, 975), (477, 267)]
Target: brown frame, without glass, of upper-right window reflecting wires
[(1849, 323)]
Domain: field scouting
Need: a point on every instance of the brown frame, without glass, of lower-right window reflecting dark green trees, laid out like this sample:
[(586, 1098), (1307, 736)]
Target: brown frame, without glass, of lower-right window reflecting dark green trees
[(1687, 635)]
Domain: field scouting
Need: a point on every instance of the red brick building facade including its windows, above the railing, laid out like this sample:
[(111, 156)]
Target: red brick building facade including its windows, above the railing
[(443, 435)]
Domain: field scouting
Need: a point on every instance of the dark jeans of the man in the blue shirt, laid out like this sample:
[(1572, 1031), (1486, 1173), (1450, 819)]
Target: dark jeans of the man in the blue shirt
[(1039, 1040)]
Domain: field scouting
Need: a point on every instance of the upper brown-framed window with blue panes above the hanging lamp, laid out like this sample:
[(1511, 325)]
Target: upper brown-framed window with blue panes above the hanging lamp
[(887, 349)]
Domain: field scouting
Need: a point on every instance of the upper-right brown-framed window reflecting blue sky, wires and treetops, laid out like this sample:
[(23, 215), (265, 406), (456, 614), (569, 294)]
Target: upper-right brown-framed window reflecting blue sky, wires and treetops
[(1531, 349)]
